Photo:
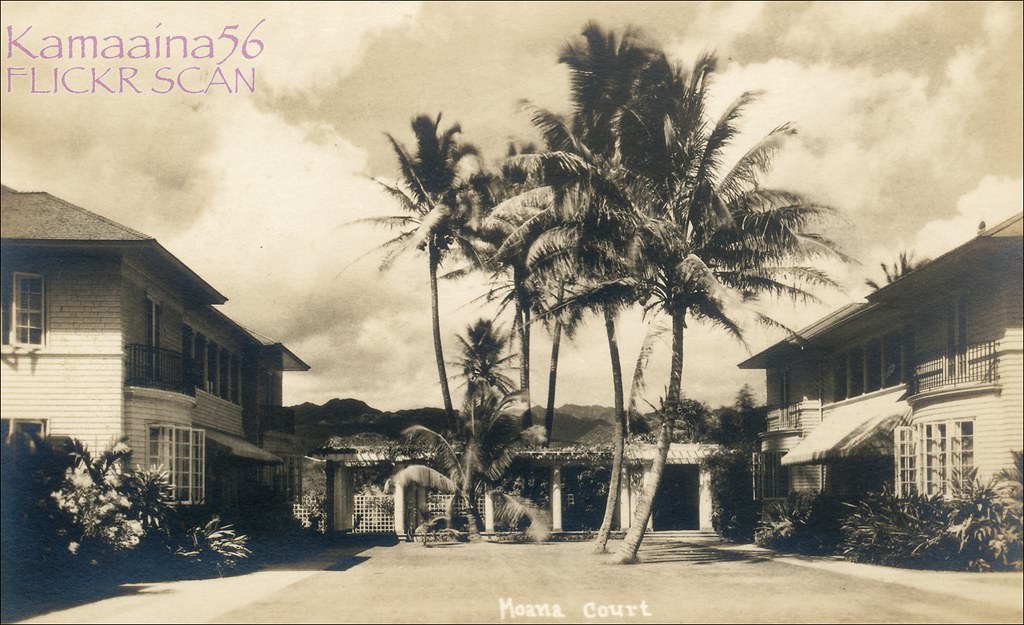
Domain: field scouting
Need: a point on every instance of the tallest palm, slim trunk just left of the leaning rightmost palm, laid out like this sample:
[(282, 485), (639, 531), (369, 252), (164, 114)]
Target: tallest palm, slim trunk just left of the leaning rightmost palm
[(584, 173)]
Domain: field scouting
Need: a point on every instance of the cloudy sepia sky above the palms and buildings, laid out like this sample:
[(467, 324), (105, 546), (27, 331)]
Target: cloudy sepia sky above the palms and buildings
[(910, 122)]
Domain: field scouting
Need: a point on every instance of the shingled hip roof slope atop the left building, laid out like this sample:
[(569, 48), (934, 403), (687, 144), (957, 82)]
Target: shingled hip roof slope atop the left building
[(38, 216)]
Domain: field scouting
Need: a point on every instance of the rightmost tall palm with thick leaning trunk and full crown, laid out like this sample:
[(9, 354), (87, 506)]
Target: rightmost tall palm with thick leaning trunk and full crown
[(709, 238)]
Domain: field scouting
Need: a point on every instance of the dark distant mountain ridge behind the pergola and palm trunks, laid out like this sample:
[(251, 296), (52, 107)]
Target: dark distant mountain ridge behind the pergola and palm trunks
[(350, 418)]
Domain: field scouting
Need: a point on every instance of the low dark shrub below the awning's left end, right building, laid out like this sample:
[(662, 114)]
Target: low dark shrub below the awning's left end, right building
[(804, 523)]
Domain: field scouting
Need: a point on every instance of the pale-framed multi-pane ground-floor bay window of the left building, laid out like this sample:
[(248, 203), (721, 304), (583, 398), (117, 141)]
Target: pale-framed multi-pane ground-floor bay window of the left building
[(181, 451)]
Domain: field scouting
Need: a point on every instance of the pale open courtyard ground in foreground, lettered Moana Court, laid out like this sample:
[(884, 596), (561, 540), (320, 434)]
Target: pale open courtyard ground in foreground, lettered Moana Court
[(686, 577)]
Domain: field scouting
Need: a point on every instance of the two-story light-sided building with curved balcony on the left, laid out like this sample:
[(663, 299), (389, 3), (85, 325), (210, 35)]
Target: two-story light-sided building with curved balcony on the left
[(107, 336)]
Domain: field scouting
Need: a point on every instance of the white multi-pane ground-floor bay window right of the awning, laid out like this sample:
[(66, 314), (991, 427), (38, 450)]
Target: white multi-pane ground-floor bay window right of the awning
[(932, 459)]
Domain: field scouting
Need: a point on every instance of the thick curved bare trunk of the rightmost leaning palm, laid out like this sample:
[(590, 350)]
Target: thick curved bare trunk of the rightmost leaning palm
[(628, 553)]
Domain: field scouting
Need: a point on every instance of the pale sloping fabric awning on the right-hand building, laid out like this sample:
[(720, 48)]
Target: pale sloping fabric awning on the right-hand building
[(866, 434)]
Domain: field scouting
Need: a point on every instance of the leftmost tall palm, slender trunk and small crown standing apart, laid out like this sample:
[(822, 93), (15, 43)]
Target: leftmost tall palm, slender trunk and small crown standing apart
[(437, 197)]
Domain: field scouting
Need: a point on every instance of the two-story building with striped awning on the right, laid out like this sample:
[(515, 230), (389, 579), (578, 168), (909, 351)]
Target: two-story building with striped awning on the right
[(915, 388)]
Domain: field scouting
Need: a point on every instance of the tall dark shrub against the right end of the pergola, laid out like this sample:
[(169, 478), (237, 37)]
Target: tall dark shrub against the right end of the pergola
[(735, 513)]
